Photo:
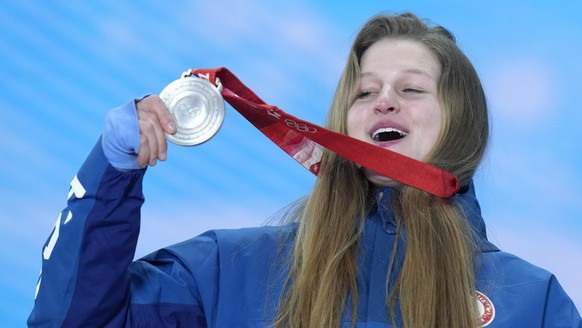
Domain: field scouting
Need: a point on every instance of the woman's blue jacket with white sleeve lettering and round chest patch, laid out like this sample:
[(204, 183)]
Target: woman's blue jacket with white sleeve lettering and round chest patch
[(233, 278)]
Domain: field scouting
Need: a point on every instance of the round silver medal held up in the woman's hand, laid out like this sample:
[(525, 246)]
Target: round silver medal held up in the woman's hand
[(197, 107)]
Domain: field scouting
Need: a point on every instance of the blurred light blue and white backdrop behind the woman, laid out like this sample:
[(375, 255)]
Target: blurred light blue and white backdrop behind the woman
[(64, 64)]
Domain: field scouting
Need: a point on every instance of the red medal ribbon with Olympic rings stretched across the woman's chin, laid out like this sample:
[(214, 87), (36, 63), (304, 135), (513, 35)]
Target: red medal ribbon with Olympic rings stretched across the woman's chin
[(303, 140)]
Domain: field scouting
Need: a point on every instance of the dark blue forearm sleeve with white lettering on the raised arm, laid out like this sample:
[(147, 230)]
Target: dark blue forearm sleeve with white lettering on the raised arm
[(84, 279)]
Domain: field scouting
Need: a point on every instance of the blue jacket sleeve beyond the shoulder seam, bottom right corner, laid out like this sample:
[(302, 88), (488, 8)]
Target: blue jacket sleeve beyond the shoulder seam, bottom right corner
[(560, 311)]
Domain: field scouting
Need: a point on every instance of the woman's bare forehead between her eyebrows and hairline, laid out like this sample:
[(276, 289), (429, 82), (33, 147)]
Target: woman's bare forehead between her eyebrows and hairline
[(400, 55)]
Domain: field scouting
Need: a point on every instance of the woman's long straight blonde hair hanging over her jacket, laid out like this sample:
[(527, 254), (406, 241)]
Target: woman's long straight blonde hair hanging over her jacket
[(435, 283)]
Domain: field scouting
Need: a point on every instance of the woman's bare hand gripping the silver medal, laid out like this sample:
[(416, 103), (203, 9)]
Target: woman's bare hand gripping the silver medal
[(155, 121)]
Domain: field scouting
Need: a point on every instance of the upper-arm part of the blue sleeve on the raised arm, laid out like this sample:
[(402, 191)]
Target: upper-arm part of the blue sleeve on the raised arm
[(176, 286)]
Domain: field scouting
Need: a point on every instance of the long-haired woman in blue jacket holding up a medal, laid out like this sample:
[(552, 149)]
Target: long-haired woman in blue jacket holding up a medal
[(361, 250)]
